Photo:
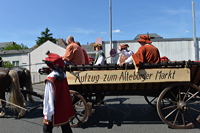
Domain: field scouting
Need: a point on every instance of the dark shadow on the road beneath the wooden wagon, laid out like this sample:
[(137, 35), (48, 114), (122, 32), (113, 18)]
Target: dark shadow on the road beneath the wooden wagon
[(110, 114)]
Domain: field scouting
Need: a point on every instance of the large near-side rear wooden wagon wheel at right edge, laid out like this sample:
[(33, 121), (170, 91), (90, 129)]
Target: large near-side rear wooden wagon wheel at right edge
[(185, 109)]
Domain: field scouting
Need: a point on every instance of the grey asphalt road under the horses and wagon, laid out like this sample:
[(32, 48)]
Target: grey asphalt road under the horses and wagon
[(121, 114)]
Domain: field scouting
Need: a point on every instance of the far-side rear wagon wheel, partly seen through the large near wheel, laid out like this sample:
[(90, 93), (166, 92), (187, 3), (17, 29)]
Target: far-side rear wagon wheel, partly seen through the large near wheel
[(152, 101)]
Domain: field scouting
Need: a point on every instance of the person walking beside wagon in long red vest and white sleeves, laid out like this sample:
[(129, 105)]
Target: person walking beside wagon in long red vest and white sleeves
[(57, 103)]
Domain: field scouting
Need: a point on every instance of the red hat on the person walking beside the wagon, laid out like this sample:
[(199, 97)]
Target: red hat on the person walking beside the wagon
[(54, 59)]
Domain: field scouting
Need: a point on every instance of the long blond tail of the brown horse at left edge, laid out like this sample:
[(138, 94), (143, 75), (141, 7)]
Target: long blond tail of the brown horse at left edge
[(15, 94)]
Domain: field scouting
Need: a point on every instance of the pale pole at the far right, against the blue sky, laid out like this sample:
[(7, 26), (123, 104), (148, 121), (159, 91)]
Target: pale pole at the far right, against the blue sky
[(196, 45)]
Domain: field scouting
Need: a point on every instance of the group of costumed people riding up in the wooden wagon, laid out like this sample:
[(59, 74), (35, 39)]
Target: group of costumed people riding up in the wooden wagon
[(76, 55)]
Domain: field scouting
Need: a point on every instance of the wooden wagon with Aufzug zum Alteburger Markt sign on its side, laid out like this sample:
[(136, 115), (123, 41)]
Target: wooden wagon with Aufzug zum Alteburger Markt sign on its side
[(172, 87)]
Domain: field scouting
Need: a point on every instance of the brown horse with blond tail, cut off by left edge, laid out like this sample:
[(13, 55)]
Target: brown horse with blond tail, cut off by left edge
[(9, 81)]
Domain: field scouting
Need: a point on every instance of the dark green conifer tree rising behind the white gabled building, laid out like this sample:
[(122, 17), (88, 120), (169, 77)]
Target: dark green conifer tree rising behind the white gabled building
[(45, 36)]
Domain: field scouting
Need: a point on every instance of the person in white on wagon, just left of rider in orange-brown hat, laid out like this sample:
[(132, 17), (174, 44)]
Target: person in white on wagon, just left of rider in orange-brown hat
[(125, 53)]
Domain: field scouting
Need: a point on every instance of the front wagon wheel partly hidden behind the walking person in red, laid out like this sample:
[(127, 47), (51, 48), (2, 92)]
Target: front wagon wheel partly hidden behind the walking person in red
[(80, 109)]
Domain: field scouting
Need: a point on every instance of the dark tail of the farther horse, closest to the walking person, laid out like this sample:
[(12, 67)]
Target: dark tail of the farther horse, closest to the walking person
[(29, 84)]
